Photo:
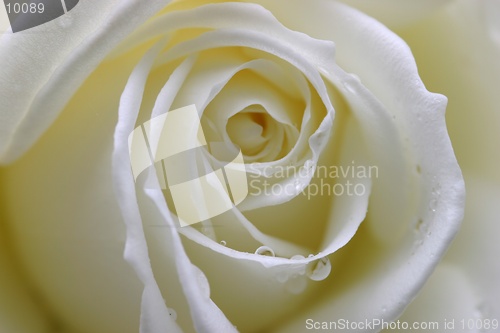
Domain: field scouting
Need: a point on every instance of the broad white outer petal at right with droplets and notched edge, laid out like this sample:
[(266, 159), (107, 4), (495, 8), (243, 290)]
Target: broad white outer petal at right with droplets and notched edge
[(387, 69)]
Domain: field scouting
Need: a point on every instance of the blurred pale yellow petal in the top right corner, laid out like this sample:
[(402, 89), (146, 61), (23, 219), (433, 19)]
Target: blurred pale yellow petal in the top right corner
[(457, 52)]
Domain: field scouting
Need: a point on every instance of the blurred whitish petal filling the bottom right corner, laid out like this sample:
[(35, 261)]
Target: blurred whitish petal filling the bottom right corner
[(465, 284)]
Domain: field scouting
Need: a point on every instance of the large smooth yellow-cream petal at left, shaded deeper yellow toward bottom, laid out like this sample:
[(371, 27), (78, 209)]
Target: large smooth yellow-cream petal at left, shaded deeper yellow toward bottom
[(73, 231)]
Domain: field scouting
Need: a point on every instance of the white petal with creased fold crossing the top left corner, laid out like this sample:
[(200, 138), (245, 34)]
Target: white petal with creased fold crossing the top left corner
[(35, 86)]
